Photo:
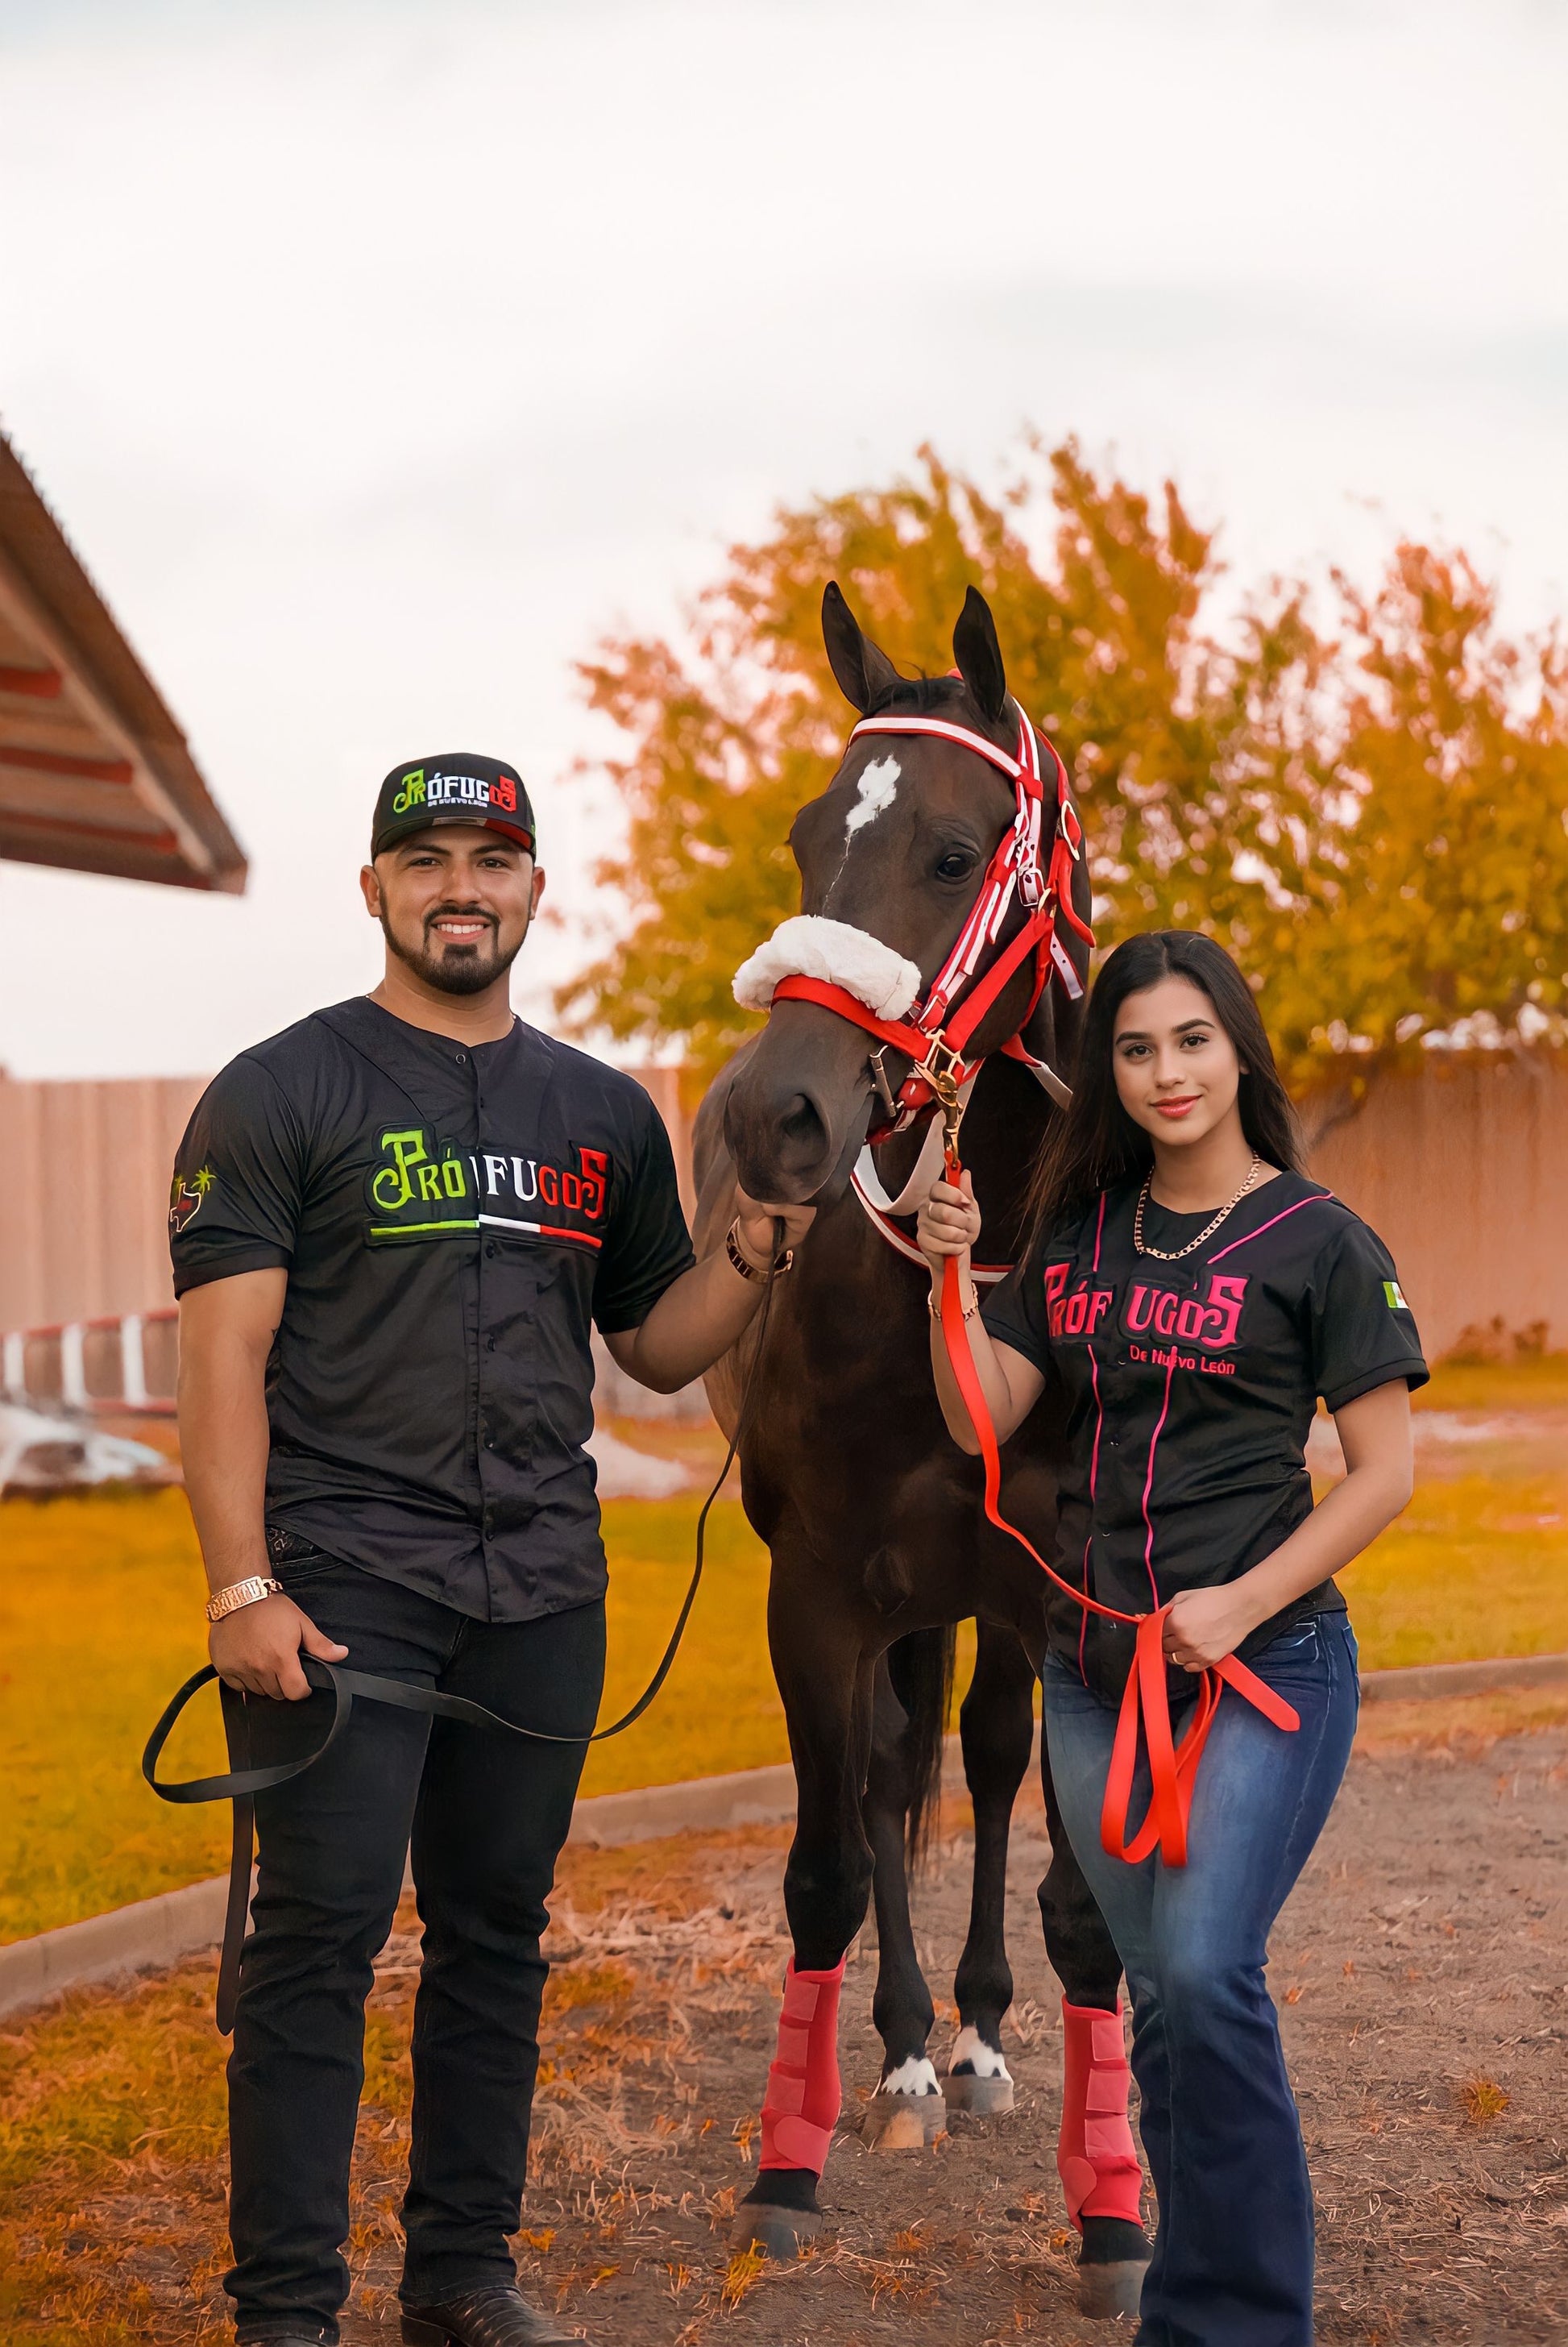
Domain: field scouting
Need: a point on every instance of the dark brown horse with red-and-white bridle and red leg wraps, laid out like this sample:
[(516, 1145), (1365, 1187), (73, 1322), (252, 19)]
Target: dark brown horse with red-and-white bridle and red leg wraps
[(917, 860)]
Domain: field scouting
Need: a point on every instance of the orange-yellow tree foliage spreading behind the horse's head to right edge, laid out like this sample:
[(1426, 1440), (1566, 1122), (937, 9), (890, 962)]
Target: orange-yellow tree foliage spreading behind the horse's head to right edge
[(1374, 823)]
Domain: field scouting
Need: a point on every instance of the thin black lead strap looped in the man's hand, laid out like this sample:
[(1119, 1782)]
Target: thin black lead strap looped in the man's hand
[(243, 1785)]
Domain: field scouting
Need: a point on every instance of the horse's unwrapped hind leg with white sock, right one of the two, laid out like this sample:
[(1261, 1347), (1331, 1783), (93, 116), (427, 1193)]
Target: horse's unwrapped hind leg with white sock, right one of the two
[(999, 1731)]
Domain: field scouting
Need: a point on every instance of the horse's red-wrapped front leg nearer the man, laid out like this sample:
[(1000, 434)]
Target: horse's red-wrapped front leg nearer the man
[(827, 1705)]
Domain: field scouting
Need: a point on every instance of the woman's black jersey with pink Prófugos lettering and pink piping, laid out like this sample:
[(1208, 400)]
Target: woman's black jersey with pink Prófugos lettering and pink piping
[(1191, 1388)]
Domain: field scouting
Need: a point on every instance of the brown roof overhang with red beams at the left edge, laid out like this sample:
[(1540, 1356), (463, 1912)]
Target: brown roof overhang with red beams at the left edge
[(95, 773)]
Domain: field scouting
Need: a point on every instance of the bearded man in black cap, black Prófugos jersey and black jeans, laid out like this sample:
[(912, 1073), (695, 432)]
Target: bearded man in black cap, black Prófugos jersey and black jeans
[(391, 1231)]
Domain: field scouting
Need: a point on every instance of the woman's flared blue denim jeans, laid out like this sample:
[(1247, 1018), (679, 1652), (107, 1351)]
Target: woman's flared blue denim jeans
[(1234, 2254)]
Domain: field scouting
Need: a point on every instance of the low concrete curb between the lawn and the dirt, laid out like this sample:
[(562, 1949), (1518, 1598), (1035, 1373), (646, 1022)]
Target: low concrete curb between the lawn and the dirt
[(158, 1933)]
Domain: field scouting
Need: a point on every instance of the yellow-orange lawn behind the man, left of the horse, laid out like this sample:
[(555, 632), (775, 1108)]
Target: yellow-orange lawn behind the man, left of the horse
[(102, 1618)]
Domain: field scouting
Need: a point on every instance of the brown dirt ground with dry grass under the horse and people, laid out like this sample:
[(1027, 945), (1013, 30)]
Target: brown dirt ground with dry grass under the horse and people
[(1424, 1977)]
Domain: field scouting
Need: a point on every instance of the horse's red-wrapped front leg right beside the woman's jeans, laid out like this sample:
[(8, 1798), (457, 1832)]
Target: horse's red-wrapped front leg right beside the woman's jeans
[(1095, 2153)]
